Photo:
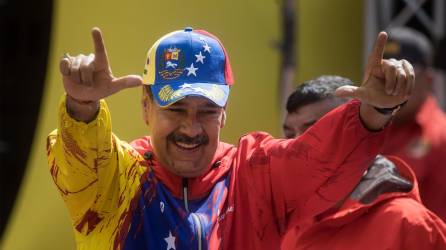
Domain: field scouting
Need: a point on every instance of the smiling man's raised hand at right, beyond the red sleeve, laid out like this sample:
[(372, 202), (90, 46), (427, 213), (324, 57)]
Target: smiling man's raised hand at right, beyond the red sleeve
[(386, 83)]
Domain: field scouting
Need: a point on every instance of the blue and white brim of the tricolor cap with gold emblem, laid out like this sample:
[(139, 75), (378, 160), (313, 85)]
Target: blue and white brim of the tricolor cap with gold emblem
[(167, 94)]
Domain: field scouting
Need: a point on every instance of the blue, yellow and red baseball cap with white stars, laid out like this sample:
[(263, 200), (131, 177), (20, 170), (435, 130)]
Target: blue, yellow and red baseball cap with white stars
[(188, 63)]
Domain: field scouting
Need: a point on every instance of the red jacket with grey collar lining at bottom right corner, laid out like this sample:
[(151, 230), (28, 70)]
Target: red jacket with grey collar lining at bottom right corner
[(387, 215)]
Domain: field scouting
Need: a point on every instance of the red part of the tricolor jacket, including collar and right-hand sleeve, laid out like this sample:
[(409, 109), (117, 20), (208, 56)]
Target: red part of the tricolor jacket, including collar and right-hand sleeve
[(274, 184)]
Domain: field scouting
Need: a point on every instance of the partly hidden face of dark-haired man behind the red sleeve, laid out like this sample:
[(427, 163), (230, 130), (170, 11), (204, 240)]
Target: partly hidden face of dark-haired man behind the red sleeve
[(297, 122)]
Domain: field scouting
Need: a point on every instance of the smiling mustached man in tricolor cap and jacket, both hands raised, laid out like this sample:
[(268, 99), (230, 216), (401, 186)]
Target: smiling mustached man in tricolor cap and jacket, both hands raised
[(182, 188)]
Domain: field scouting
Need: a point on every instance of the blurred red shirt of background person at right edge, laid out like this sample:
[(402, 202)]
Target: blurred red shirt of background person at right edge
[(422, 144)]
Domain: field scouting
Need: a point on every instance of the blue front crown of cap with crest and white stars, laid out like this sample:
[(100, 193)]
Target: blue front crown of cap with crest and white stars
[(190, 57)]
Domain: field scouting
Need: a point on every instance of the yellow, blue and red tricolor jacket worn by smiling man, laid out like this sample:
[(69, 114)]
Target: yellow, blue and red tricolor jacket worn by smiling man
[(120, 197)]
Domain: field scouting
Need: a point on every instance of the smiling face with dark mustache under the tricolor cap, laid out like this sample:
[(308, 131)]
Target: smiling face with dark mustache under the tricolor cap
[(185, 135)]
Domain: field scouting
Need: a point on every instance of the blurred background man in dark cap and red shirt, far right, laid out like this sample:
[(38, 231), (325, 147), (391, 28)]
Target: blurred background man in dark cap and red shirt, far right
[(419, 131)]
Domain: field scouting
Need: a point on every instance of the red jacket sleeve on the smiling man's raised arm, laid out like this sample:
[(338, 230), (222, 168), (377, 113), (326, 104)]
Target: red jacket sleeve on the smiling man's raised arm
[(309, 174)]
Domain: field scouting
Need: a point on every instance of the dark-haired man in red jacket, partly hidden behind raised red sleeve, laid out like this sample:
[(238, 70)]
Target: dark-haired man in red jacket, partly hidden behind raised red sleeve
[(384, 209)]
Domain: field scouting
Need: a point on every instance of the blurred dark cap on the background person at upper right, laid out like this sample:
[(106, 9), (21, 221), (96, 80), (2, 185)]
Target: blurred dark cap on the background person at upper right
[(409, 44)]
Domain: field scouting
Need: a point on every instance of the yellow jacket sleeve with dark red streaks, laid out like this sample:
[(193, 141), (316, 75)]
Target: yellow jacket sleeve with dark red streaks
[(86, 162)]
